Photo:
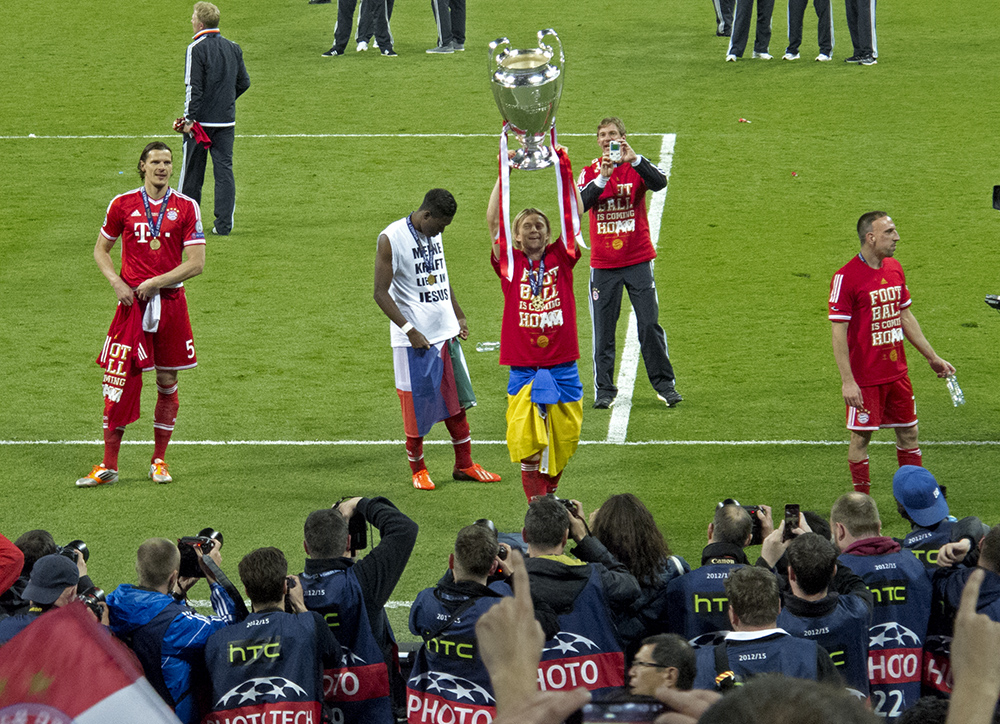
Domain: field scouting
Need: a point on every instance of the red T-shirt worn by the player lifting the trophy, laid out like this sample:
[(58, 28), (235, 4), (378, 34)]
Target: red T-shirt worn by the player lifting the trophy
[(539, 331)]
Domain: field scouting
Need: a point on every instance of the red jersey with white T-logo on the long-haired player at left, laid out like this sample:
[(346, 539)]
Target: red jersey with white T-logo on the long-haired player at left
[(126, 218)]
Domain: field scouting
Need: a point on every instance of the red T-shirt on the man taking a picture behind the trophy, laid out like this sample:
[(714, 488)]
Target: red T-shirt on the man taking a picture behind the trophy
[(619, 229)]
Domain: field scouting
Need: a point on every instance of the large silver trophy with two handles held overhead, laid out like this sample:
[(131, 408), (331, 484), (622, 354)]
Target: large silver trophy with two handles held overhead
[(527, 85)]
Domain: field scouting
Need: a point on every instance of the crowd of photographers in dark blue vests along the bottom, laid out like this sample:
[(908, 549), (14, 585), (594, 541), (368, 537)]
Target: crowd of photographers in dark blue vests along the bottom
[(837, 620)]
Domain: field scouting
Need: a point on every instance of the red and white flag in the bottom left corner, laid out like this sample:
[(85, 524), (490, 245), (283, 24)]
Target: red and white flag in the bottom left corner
[(66, 668)]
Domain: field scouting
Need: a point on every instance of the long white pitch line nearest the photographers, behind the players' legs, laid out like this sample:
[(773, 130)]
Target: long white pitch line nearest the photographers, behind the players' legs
[(347, 443)]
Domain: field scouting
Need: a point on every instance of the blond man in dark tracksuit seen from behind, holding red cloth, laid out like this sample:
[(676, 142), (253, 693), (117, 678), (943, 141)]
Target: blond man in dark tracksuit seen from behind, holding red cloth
[(215, 77)]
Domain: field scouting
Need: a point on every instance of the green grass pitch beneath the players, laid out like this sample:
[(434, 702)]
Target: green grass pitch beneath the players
[(292, 347)]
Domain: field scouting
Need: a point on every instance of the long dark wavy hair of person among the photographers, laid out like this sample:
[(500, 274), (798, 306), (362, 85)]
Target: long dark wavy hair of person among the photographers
[(627, 529)]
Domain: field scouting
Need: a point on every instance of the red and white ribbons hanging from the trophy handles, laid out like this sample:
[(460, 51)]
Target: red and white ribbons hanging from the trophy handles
[(569, 211)]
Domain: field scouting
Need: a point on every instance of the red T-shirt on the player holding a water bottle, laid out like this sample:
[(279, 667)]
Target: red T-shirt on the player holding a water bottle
[(869, 301)]
